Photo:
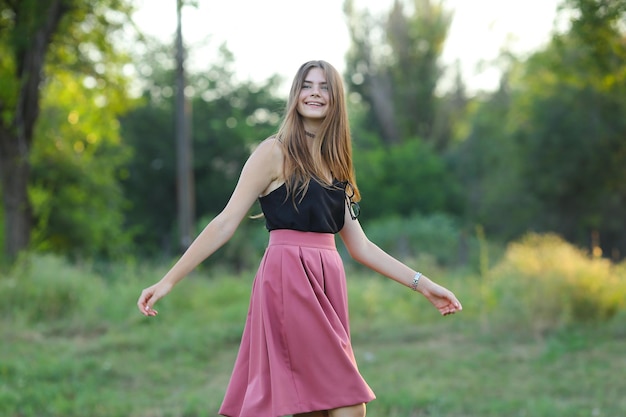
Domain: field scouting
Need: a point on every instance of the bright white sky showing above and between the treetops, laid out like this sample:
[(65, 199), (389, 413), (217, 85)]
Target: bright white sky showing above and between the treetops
[(276, 36)]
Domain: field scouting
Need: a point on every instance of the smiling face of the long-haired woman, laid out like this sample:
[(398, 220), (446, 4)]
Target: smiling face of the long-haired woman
[(313, 99)]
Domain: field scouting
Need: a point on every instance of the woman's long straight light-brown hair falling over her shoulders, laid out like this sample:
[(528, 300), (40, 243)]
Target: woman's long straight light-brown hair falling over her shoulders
[(332, 145)]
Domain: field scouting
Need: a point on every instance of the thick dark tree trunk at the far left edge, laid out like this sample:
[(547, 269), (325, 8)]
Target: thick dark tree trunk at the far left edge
[(16, 132)]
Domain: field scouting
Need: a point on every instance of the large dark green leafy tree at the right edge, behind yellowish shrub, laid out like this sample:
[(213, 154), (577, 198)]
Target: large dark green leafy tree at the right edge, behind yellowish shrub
[(571, 138)]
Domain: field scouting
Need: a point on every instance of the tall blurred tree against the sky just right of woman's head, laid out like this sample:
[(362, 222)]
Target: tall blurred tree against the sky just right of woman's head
[(393, 65)]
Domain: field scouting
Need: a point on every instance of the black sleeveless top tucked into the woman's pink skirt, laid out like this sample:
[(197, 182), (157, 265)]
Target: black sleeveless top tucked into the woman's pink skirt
[(321, 210)]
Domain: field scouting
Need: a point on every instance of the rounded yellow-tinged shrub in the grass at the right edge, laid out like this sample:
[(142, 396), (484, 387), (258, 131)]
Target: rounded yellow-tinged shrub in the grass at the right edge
[(548, 283)]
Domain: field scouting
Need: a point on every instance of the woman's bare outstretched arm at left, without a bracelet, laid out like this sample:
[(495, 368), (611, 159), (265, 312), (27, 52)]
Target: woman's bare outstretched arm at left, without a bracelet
[(262, 168)]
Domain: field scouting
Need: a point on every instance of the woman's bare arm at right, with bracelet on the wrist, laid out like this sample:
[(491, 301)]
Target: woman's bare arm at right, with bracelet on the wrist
[(362, 250)]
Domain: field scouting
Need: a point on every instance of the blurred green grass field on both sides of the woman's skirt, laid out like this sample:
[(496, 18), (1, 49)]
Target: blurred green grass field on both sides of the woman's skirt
[(73, 344)]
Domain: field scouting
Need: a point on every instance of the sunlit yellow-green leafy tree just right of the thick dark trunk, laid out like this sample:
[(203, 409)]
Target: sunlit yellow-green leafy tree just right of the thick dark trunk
[(76, 160)]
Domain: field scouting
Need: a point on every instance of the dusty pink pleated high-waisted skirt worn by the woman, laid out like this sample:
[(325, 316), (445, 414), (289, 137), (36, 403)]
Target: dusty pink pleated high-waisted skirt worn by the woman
[(295, 354)]
